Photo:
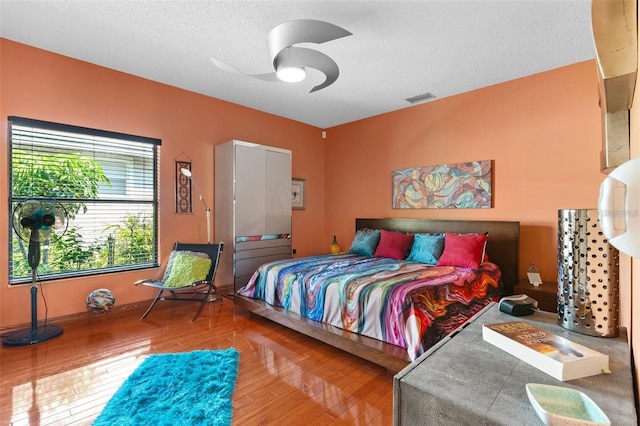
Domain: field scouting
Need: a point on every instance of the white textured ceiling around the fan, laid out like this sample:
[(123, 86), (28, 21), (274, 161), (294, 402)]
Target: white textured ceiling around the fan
[(398, 49)]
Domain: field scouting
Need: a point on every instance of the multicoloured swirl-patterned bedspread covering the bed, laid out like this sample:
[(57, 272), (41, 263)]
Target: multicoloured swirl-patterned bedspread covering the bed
[(408, 304)]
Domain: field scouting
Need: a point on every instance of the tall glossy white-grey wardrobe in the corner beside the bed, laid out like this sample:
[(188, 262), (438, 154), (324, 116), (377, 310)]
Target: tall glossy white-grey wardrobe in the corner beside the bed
[(252, 210)]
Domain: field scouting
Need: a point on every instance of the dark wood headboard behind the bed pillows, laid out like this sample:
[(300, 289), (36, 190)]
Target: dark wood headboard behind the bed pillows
[(502, 246)]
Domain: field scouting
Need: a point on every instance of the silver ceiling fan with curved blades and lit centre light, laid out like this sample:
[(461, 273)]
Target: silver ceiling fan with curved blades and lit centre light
[(289, 61)]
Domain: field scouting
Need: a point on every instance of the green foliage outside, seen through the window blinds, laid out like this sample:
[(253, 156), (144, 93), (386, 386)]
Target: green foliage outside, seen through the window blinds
[(69, 176)]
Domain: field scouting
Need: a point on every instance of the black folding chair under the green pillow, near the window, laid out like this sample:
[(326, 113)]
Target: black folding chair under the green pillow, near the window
[(199, 291)]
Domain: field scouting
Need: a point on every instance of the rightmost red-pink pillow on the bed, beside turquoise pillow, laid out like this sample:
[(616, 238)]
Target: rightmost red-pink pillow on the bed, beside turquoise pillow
[(463, 250)]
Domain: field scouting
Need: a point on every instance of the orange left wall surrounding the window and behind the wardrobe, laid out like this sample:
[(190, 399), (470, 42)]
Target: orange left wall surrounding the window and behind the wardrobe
[(41, 85)]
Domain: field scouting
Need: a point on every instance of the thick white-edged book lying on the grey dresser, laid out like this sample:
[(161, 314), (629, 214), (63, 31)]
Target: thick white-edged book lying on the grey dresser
[(559, 357)]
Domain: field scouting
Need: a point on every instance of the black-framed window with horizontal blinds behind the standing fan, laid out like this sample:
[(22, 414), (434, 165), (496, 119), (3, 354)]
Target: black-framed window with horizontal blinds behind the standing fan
[(104, 182)]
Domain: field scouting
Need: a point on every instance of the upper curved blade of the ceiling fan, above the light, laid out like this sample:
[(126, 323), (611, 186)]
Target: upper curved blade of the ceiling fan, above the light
[(302, 31)]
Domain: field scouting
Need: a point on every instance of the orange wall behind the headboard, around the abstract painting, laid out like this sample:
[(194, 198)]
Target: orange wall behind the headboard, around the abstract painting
[(542, 131)]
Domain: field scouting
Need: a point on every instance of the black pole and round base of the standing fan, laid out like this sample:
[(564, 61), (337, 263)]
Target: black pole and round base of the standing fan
[(35, 334)]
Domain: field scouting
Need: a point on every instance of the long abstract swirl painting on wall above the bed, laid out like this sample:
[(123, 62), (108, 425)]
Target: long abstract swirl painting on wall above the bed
[(459, 186)]
